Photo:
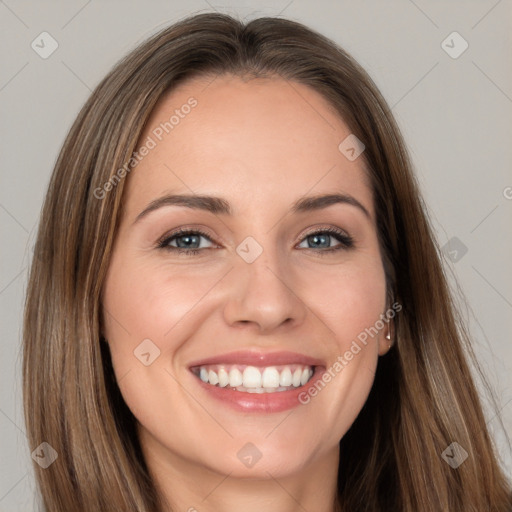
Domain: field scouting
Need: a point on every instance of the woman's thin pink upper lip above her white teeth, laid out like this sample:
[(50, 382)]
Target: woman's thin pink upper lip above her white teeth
[(258, 358)]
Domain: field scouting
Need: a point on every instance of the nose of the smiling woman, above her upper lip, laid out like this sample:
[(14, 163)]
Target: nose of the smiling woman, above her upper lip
[(265, 294)]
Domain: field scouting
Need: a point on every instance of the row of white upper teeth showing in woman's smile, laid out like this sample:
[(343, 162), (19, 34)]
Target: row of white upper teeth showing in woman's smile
[(245, 378)]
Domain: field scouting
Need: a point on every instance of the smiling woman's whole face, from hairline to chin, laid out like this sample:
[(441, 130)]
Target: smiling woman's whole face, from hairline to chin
[(214, 333)]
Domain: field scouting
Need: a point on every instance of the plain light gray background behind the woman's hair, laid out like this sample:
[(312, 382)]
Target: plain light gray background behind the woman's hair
[(455, 114)]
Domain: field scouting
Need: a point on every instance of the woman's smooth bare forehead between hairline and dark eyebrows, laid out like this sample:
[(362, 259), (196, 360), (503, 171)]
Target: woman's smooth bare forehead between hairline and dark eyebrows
[(259, 143)]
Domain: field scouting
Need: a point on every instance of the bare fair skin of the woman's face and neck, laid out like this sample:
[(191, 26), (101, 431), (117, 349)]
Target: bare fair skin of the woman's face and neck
[(260, 144)]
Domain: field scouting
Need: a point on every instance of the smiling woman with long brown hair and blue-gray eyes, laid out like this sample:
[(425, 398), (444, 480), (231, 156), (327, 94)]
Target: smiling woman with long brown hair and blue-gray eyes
[(237, 300)]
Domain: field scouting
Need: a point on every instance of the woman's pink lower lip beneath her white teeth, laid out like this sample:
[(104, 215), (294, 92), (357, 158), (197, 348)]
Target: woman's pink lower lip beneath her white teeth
[(277, 401)]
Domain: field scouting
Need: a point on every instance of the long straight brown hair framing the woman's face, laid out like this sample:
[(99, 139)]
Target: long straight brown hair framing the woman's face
[(423, 398)]
